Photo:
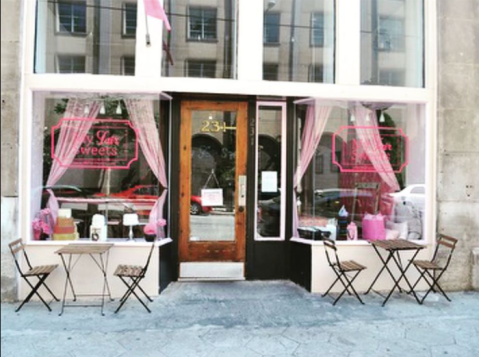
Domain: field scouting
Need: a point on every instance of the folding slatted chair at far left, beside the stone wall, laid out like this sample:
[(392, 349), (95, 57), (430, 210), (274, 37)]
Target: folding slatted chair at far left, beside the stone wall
[(40, 272)]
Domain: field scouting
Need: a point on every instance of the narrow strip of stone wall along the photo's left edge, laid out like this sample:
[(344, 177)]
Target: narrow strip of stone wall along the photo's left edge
[(11, 47)]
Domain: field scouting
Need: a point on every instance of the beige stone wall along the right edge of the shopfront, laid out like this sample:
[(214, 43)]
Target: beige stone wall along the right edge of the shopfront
[(458, 133)]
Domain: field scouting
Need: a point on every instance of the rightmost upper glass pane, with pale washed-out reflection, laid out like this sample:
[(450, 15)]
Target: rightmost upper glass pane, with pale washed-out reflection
[(392, 42)]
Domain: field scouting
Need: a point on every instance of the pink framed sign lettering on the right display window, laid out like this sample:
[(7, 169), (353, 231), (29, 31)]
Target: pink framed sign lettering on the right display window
[(357, 155)]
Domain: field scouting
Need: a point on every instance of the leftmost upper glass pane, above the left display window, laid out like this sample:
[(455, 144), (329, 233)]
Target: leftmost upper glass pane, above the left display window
[(102, 32)]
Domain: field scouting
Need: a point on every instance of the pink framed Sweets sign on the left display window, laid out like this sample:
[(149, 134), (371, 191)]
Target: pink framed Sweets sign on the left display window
[(108, 144)]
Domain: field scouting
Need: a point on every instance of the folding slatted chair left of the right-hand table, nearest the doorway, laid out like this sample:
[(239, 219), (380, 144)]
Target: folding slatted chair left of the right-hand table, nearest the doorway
[(342, 269)]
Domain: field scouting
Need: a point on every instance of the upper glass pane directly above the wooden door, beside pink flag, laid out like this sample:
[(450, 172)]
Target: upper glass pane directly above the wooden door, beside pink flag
[(202, 41)]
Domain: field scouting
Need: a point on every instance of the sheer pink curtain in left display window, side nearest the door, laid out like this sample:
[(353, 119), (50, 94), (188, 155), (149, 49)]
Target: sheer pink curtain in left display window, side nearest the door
[(143, 118)]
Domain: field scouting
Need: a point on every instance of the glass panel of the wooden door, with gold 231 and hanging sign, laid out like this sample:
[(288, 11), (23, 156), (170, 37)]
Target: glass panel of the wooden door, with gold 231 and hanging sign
[(213, 163)]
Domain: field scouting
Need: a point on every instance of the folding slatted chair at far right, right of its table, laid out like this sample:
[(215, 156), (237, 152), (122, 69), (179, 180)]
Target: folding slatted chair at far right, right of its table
[(425, 267)]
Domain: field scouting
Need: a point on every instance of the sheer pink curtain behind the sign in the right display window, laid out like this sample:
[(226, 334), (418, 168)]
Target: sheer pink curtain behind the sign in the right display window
[(371, 137)]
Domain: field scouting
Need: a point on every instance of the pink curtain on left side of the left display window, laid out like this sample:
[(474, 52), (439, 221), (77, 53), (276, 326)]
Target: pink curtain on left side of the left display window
[(72, 135)]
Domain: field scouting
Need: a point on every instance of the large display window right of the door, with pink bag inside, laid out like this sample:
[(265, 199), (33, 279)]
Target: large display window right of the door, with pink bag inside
[(368, 165)]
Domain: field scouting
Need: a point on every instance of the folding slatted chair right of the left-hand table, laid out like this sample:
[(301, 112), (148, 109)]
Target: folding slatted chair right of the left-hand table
[(132, 275)]
